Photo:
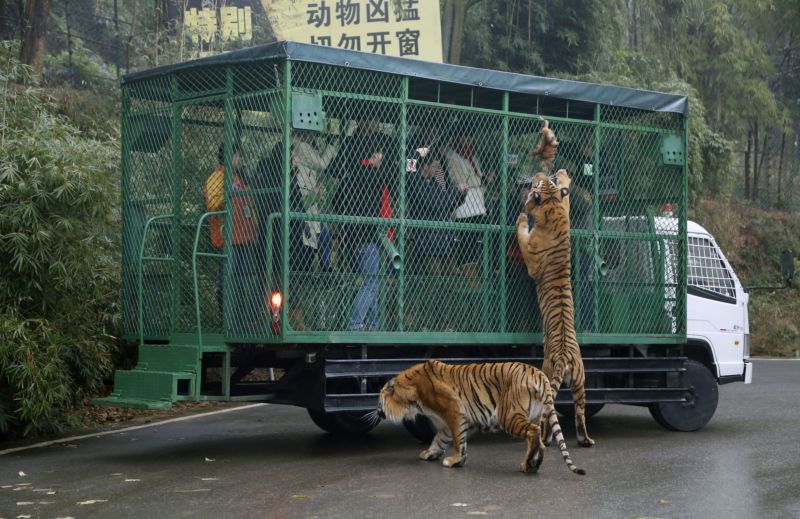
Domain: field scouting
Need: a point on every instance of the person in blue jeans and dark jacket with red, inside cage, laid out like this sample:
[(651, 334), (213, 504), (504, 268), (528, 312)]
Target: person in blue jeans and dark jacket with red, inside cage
[(363, 193)]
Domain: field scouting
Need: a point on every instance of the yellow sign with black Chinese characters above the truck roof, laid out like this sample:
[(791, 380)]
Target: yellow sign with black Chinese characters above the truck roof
[(408, 28)]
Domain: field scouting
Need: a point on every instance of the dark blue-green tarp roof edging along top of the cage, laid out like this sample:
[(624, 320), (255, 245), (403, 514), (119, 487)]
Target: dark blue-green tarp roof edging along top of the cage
[(506, 81)]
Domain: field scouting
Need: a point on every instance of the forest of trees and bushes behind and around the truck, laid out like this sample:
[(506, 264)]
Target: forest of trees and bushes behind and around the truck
[(60, 64)]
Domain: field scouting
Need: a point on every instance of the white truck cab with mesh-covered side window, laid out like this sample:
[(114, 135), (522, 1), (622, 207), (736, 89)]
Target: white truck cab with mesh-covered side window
[(717, 307)]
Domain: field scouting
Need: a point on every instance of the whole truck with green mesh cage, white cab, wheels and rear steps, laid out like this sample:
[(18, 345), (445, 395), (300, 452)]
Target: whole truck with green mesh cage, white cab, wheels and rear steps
[(301, 223)]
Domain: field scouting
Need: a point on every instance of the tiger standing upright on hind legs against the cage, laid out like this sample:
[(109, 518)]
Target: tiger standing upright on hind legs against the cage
[(546, 250)]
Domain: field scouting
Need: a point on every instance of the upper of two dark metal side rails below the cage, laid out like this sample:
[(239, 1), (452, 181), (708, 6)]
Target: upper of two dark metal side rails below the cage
[(592, 365)]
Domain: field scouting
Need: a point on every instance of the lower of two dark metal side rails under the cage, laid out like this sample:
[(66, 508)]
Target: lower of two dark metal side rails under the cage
[(369, 401)]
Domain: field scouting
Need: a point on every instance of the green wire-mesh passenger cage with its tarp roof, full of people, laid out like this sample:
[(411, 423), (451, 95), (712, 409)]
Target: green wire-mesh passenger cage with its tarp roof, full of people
[(371, 200)]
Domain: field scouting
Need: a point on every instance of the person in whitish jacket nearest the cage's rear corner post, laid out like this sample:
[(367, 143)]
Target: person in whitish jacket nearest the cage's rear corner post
[(308, 165)]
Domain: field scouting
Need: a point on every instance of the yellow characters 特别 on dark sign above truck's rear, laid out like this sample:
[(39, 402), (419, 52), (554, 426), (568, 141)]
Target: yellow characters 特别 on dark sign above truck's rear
[(205, 24)]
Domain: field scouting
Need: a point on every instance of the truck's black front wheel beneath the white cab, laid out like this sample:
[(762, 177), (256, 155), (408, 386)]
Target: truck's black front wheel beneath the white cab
[(701, 401)]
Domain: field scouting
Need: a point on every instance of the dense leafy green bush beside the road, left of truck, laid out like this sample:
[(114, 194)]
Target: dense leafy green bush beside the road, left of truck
[(58, 257)]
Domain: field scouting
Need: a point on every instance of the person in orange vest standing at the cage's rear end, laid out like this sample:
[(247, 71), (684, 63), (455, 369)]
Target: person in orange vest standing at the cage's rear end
[(243, 234)]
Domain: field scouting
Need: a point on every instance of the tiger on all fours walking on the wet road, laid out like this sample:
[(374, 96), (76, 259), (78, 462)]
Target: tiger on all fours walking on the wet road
[(462, 399)]
